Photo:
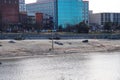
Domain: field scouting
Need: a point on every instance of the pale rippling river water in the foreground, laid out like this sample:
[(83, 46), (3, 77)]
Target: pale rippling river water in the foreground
[(96, 66)]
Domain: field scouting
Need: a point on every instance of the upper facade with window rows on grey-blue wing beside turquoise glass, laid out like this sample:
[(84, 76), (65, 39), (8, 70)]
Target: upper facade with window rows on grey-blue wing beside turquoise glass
[(47, 8)]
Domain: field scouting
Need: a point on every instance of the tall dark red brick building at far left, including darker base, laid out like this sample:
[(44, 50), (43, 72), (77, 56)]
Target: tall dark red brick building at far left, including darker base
[(9, 15)]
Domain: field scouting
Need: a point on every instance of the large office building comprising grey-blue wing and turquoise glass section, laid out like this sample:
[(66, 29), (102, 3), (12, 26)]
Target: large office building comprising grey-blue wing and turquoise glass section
[(64, 12)]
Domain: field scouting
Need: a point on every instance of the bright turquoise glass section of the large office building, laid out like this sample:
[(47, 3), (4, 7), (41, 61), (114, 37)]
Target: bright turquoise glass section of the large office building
[(69, 12)]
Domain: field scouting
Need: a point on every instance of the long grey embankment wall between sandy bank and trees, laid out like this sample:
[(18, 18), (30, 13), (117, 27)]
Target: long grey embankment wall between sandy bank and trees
[(61, 36)]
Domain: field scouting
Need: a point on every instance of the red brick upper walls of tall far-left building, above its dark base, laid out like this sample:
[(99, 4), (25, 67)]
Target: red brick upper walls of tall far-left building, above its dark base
[(9, 11)]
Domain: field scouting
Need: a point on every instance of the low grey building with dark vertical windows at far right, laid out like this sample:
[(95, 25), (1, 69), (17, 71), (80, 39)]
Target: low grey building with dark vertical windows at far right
[(102, 18)]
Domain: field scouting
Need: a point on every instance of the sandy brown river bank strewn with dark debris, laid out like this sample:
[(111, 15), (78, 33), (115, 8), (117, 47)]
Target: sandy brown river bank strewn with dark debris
[(13, 48)]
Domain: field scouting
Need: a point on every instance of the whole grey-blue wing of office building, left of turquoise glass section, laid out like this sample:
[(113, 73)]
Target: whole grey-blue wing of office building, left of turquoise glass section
[(47, 8)]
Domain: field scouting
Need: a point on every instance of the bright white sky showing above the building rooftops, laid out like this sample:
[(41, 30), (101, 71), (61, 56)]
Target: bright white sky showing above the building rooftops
[(99, 5)]
